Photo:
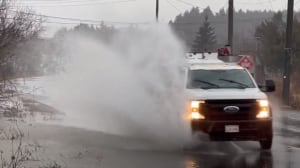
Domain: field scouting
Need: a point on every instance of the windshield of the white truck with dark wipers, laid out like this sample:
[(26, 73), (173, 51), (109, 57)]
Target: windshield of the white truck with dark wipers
[(215, 79)]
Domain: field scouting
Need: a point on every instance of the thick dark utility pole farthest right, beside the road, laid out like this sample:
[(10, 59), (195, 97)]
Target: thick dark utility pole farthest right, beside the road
[(288, 53)]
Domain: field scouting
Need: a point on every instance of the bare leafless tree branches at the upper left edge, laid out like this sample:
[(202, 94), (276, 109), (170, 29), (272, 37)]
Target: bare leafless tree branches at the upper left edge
[(16, 27)]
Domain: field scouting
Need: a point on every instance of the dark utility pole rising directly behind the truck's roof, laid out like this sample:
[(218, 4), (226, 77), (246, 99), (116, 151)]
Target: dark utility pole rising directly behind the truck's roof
[(230, 24)]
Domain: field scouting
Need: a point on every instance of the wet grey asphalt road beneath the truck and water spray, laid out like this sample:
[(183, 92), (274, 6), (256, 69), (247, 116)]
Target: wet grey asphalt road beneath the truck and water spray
[(121, 152)]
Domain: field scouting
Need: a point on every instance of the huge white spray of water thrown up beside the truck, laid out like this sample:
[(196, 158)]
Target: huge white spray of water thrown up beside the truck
[(132, 87)]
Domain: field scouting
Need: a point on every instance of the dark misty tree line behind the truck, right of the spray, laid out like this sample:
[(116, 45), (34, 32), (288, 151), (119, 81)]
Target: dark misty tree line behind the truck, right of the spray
[(260, 31)]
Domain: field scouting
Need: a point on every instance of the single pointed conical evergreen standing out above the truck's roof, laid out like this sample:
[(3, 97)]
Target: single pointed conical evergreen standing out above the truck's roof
[(205, 38)]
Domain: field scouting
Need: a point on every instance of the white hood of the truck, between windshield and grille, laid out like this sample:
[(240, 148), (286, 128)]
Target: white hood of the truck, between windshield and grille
[(218, 94)]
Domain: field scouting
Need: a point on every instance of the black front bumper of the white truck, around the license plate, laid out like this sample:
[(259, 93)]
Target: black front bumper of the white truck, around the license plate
[(248, 129)]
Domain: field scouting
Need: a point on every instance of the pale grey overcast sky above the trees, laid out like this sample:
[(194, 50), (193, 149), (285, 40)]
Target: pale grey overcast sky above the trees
[(125, 11)]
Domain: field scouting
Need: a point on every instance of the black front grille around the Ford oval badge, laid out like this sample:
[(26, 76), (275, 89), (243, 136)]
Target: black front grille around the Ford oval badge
[(214, 109)]
